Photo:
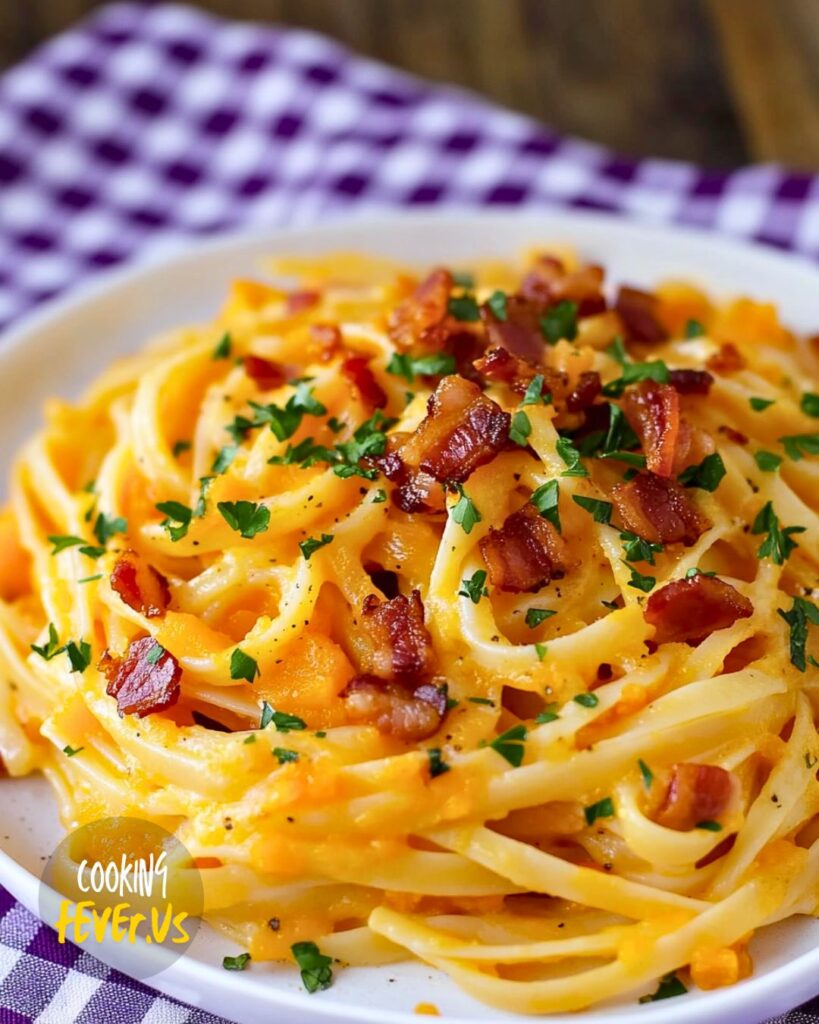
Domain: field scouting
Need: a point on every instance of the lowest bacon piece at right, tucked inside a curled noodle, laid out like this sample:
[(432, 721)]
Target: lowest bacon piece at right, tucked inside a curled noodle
[(695, 794)]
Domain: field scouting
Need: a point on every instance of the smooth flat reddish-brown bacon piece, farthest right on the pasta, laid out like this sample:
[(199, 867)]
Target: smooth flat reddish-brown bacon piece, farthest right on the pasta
[(688, 611)]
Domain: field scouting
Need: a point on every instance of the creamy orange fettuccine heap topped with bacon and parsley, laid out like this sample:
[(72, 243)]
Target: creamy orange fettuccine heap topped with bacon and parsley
[(464, 616)]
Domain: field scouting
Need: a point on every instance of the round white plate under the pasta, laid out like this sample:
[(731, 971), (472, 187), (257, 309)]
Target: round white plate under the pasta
[(62, 349)]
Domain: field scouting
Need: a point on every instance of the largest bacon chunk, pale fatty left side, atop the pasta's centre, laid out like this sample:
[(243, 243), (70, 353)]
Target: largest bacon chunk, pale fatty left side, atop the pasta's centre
[(463, 430)]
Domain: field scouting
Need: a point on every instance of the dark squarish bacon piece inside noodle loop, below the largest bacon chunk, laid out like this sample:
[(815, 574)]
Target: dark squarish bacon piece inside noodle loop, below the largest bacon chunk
[(526, 553)]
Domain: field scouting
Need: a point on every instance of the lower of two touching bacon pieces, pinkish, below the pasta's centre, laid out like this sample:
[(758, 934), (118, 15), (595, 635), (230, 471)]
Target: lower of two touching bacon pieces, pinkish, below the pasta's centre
[(411, 716)]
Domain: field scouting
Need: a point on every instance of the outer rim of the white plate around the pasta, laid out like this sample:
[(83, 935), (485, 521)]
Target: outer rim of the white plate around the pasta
[(773, 991)]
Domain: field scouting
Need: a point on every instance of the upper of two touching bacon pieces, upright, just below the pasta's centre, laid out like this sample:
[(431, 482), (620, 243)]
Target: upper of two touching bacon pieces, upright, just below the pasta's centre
[(401, 647)]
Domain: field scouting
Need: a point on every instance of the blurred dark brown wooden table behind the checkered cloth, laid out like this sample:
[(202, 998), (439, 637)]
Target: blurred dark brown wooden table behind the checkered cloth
[(720, 82)]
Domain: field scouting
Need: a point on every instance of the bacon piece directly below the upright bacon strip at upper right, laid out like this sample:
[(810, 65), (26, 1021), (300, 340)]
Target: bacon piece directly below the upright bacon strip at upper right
[(659, 510)]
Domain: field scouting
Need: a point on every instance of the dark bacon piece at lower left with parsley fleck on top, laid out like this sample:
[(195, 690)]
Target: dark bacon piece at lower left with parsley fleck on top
[(143, 688)]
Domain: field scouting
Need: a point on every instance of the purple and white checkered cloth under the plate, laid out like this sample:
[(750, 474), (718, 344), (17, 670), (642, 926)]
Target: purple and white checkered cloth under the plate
[(147, 124)]
